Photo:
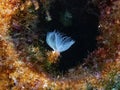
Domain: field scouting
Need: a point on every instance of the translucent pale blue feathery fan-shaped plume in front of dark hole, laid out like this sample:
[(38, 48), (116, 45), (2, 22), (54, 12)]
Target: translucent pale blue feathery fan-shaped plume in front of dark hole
[(58, 42)]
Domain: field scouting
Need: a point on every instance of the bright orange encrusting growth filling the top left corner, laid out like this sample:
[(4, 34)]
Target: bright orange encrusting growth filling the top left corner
[(7, 10)]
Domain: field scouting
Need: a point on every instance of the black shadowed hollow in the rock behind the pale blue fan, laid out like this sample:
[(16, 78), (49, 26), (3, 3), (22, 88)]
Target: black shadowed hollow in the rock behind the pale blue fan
[(78, 19)]
